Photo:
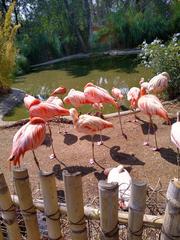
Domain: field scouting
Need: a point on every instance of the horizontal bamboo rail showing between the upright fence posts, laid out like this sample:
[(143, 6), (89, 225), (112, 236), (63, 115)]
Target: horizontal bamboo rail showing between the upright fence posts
[(150, 221)]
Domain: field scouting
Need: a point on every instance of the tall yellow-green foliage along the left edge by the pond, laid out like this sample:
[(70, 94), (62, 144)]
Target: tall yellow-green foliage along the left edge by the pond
[(7, 49)]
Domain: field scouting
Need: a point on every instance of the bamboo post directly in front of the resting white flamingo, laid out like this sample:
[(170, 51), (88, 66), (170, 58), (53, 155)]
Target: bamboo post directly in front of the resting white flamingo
[(108, 200)]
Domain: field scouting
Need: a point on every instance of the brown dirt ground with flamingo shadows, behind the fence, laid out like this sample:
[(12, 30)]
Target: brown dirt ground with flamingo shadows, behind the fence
[(74, 150)]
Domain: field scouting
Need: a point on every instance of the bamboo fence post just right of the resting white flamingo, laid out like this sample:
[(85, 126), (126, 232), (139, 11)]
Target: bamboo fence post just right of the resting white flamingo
[(137, 207)]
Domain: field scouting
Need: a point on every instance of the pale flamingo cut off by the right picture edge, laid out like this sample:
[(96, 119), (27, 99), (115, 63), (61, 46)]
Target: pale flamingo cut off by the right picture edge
[(175, 138)]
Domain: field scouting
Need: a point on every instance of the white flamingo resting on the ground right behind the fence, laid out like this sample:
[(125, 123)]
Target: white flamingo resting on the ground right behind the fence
[(120, 175)]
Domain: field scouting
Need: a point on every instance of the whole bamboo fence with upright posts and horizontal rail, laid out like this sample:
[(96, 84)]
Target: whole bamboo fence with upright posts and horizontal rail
[(110, 219)]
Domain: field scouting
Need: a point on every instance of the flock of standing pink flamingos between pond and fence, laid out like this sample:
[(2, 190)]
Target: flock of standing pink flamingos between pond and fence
[(32, 134)]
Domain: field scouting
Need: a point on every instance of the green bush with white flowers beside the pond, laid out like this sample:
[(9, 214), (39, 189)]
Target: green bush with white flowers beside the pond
[(164, 58)]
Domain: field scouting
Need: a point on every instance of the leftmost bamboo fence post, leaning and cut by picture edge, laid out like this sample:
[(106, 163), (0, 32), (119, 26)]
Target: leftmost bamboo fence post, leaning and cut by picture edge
[(8, 210)]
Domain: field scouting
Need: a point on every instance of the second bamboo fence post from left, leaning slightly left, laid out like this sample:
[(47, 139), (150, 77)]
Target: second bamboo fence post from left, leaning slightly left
[(22, 185)]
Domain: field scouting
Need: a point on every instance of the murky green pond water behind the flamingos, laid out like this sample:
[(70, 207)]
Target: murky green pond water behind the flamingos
[(122, 72)]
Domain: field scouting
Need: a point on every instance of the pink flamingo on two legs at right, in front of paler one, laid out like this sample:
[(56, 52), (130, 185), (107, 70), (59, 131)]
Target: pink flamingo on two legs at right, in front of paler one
[(151, 105)]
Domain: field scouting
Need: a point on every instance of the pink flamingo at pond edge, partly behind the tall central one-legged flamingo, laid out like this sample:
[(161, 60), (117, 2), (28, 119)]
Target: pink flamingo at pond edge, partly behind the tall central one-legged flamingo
[(76, 98)]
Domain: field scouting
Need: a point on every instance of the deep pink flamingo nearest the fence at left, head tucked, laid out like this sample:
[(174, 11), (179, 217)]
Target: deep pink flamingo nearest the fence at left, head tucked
[(28, 137)]
